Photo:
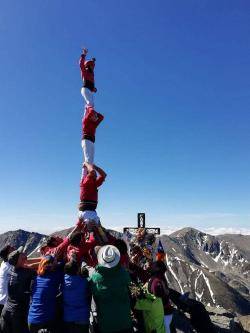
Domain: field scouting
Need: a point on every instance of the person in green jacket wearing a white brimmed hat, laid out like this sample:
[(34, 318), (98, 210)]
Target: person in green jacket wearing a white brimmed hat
[(110, 289)]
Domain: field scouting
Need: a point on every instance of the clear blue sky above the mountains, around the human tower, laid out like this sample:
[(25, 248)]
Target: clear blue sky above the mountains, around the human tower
[(173, 81)]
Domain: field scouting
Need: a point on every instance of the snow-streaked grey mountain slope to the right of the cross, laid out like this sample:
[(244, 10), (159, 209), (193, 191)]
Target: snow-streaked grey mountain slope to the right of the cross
[(214, 269)]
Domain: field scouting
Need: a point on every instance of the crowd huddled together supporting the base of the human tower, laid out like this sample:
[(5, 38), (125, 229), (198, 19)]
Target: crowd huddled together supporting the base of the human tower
[(76, 277)]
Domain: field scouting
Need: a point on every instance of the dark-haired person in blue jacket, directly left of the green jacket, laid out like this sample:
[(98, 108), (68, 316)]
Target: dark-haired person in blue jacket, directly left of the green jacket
[(76, 298)]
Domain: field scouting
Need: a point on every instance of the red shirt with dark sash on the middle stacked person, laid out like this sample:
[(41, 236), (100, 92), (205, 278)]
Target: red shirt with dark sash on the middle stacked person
[(90, 122)]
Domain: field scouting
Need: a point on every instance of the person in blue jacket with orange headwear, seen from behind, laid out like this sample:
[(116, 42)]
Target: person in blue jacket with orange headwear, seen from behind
[(42, 312)]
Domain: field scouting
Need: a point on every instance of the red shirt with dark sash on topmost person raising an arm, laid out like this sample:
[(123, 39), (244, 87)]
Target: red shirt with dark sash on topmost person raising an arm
[(87, 73)]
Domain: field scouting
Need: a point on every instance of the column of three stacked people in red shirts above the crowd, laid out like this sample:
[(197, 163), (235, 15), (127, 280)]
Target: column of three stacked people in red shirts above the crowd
[(92, 176)]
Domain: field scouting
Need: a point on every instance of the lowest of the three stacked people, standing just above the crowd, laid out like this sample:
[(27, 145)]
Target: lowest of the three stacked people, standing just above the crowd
[(89, 192)]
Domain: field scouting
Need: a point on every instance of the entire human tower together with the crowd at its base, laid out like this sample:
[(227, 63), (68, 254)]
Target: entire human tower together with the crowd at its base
[(88, 281)]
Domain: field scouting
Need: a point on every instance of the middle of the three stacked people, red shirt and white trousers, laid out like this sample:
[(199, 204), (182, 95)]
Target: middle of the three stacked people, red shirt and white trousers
[(90, 122)]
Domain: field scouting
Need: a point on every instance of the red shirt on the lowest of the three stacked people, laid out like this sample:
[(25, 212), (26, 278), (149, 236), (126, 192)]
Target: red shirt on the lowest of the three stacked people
[(89, 192)]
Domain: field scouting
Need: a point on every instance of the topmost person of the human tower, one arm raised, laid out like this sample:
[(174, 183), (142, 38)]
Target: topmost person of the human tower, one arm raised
[(88, 77)]
